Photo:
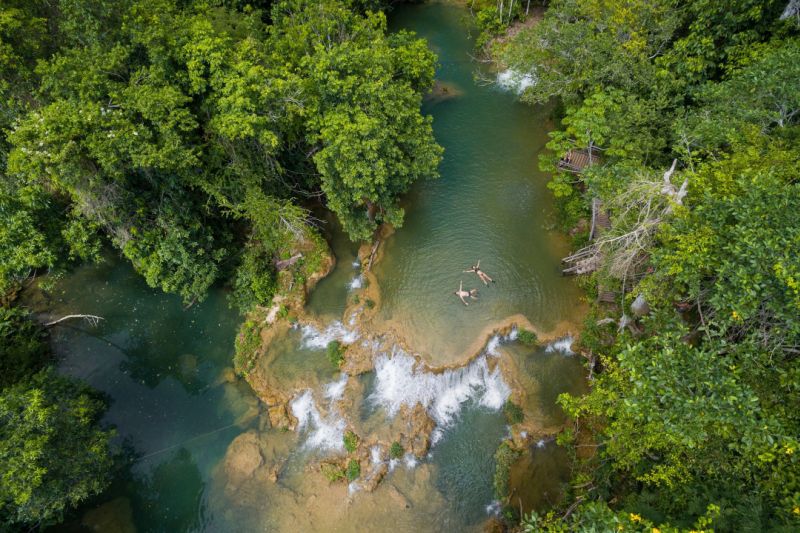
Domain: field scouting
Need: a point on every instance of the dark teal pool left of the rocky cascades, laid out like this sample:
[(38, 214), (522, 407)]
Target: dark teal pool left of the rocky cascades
[(164, 370)]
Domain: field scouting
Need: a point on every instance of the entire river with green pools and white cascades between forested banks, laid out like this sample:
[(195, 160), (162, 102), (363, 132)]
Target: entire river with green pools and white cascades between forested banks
[(202, 455)]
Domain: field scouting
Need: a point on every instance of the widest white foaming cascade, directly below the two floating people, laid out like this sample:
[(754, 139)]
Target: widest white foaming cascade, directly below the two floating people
[(400, 382)]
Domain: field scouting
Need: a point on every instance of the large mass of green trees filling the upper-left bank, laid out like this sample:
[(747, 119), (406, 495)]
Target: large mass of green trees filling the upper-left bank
[(191, 134)]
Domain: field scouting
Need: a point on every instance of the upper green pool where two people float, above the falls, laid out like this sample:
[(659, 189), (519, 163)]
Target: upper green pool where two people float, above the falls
[(491, 203)]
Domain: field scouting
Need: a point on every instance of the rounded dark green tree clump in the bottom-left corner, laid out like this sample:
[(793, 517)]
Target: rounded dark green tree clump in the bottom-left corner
[(52, 454)]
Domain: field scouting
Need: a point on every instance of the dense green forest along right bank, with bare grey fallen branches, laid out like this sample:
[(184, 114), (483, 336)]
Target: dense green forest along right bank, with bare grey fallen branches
[(695, 403)]
